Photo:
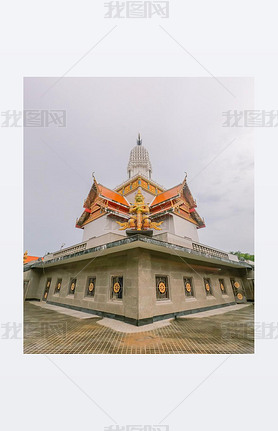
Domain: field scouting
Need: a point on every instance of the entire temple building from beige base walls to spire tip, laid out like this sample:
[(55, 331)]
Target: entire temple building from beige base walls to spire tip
[(140, 259)]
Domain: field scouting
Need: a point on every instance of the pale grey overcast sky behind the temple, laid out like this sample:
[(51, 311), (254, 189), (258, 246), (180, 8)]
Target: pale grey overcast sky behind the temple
[(180, 120)]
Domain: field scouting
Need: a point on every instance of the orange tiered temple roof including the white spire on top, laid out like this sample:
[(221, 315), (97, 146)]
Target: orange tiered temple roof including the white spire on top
[(177, 200)]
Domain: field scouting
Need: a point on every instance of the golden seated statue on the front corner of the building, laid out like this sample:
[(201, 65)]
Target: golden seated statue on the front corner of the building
[(139, 216)]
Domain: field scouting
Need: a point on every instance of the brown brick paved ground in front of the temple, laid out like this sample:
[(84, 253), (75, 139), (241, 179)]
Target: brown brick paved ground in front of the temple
[(46, 331)]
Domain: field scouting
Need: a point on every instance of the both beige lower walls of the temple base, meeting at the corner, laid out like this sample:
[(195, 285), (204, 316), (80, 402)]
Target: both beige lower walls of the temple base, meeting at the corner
[(139, 268)]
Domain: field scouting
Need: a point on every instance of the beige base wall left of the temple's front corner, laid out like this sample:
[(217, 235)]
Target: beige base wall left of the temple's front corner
[(103, 269)]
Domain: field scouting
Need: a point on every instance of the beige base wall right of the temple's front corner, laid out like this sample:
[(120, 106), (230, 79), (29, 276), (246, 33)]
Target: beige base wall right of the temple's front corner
[(175, 270)]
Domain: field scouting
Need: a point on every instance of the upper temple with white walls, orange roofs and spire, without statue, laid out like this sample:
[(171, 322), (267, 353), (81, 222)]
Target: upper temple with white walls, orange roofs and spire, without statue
[(103, 208)]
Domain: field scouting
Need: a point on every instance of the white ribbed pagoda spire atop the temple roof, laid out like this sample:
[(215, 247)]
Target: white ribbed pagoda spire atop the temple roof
[(139, 161)]
